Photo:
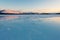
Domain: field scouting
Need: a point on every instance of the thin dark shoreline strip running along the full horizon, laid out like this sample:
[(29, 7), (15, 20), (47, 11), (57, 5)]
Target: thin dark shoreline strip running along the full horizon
[(29, 13)]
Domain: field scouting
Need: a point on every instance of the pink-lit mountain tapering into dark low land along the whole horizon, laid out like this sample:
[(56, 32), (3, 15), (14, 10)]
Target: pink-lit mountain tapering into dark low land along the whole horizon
[(14, 12)]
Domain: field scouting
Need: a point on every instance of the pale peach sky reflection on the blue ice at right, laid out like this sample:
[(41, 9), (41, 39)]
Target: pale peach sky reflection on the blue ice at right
[(50, 19)]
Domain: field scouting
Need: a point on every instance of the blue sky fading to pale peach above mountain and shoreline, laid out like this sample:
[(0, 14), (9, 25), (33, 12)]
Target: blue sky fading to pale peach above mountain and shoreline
[(31, 5)]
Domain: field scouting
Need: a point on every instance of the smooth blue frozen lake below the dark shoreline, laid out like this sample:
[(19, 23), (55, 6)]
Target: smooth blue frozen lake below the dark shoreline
[(30, 27)]
